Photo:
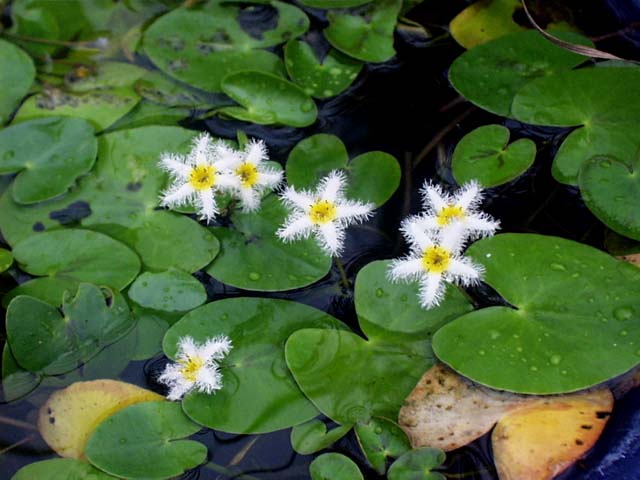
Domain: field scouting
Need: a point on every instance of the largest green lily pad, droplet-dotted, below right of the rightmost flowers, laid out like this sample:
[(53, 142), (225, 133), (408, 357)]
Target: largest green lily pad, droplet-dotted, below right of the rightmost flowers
[(552, 341)]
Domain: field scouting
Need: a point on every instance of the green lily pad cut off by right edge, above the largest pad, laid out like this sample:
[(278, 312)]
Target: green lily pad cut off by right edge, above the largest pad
[(610, 189)]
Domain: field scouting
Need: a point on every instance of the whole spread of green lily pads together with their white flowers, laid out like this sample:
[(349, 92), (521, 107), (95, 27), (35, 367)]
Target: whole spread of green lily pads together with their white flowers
[(113, 214)]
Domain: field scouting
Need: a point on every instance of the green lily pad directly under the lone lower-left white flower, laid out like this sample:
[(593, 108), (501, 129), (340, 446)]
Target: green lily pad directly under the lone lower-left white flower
[(259, 394)]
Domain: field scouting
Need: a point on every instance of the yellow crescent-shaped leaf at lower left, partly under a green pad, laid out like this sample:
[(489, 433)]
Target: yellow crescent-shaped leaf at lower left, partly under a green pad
[(69, 416)]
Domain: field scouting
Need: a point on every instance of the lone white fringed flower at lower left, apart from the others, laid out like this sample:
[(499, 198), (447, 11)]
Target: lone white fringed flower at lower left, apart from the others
[(196, 367)]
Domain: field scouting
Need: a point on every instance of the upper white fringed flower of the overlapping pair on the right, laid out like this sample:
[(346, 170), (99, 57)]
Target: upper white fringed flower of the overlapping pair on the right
[(443, 210)]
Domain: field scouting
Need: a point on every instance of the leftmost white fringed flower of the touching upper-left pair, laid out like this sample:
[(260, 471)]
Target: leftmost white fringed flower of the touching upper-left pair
[(197, 177)]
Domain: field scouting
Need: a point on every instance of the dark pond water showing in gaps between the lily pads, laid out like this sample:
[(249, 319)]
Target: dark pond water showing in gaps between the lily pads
[(398, 107)]
